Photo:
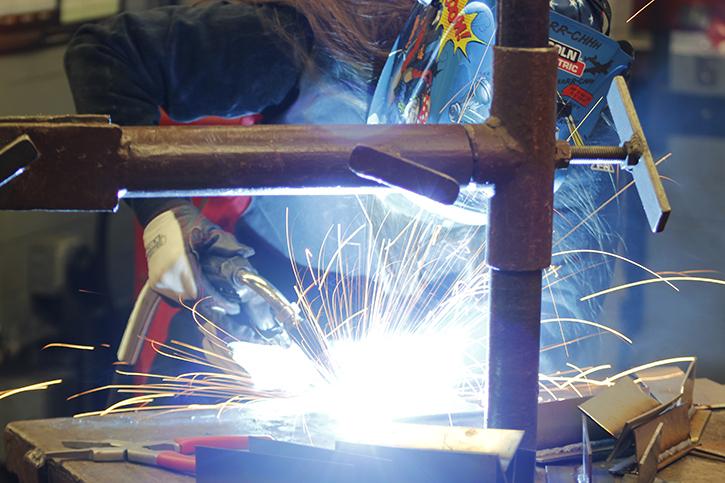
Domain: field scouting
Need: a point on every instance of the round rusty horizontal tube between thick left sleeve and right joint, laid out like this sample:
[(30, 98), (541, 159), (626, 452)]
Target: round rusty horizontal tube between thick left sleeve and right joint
[(191, 160)]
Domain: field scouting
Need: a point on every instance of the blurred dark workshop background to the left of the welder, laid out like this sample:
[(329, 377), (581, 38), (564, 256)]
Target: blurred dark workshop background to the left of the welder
[(64, 277)]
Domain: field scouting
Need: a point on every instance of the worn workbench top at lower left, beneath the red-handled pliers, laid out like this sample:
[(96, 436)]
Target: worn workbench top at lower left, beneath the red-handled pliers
[(27, 442)]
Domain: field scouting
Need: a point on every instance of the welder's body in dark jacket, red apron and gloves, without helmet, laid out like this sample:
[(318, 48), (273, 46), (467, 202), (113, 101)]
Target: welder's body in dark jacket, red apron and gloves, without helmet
[(269, 61)]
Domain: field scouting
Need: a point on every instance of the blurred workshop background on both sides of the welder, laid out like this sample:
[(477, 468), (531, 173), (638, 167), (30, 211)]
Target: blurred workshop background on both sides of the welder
[(67, 277)]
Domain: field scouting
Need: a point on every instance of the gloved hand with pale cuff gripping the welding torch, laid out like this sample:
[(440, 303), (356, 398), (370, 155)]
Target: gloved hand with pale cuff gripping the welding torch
[(189, 258)]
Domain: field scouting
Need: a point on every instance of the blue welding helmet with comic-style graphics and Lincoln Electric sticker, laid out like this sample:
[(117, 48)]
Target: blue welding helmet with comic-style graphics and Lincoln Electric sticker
[(440, 71)]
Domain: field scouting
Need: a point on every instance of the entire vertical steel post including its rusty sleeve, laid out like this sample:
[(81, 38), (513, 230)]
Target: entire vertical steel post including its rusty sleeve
[(521, 219)]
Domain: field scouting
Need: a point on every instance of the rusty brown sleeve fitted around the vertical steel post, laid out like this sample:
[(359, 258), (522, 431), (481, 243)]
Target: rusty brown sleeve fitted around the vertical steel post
[(519, 236)]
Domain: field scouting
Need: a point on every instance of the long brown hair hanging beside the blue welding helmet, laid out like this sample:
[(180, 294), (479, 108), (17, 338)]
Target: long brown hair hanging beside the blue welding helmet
[(358, 32)]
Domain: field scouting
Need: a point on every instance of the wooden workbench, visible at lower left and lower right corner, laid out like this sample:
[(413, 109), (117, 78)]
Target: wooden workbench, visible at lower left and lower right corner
[(27, 441)]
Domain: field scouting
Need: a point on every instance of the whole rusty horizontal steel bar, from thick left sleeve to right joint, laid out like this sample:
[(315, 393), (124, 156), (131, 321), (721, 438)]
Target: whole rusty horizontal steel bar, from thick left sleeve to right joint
[(86, 163)]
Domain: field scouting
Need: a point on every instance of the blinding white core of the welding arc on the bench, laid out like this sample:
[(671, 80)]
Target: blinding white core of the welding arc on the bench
[(378, 379)]
